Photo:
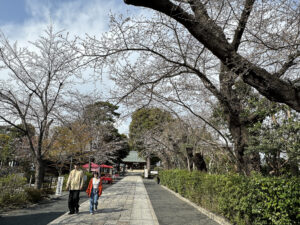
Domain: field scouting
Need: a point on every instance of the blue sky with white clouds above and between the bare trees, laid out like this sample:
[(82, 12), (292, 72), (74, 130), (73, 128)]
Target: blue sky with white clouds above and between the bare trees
[(25, 20)]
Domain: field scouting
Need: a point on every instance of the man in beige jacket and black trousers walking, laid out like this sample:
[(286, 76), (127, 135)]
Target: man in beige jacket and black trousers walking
[(74, 185)]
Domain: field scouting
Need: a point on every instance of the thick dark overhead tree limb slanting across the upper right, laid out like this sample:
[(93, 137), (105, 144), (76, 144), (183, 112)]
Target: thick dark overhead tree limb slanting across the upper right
[(211, 36)]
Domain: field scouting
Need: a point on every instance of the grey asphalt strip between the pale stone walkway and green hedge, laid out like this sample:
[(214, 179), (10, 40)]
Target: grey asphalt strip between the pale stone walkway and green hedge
[(171, 210)]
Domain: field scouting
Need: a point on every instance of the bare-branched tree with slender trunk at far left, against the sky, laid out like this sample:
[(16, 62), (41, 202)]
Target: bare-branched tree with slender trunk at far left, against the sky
[(39, 77)]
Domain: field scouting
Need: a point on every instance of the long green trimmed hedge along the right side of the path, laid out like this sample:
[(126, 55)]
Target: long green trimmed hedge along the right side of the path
[(242, 200)]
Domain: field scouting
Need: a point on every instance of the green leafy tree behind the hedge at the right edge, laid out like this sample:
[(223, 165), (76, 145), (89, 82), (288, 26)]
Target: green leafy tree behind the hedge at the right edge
[(277, 139)]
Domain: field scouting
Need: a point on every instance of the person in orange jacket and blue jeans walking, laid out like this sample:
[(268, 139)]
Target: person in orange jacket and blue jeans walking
[(94, 191)]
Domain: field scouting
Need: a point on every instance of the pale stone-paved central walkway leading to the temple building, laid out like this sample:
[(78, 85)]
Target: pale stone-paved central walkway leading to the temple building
[(124, 203)]
